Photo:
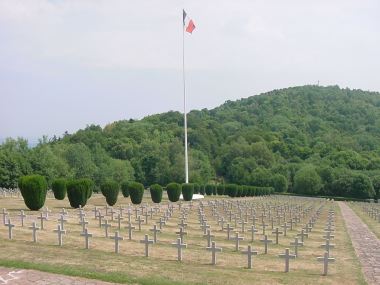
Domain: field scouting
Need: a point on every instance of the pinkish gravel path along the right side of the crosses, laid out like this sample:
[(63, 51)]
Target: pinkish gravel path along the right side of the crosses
[(366, 244)]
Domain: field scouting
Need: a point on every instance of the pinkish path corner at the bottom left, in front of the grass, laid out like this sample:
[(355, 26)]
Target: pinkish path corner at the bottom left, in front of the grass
[(13, 276)]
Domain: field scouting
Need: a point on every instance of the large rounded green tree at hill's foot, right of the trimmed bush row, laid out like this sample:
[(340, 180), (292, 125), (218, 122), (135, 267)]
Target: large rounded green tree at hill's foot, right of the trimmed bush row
[(307, 181)]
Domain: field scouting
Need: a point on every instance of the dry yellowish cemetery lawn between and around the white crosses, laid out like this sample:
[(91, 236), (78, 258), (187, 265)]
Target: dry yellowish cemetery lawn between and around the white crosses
[(130, 265)]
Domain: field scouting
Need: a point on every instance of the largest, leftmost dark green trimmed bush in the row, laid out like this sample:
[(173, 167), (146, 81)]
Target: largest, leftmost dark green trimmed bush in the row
[(33, 190)]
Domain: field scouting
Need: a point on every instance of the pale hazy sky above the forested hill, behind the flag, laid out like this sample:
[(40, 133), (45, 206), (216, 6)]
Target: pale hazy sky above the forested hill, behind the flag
[(65, 64)]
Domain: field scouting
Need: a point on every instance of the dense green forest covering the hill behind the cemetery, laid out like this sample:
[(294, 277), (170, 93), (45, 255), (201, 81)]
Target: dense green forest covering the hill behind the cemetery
[(309, 139)]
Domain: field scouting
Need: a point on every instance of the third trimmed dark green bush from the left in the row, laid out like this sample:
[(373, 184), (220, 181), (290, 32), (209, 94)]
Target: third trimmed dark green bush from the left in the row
[(77, 192)]
